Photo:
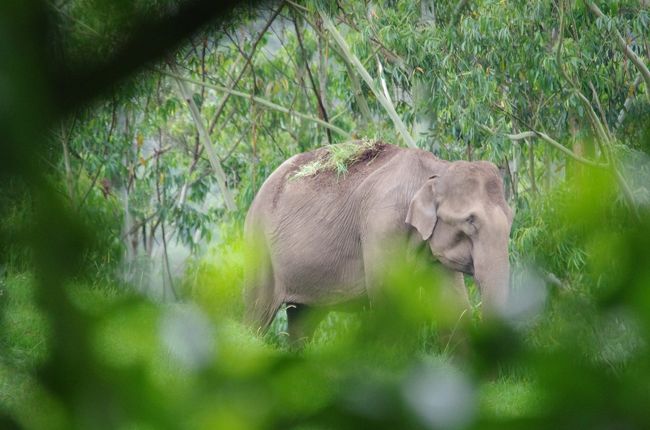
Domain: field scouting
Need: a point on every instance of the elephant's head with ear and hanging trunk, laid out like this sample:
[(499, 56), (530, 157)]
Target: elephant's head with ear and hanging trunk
[(463, 214)]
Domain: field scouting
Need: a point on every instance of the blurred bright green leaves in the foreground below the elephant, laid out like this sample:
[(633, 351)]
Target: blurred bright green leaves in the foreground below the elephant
[(195, 361)]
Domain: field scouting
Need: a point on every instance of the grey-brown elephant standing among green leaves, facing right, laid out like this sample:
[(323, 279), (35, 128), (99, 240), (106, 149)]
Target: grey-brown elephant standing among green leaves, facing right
[(321, 240)]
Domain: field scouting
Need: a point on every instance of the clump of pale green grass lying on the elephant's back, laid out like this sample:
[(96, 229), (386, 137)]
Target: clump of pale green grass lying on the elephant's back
[(339, 157)]
